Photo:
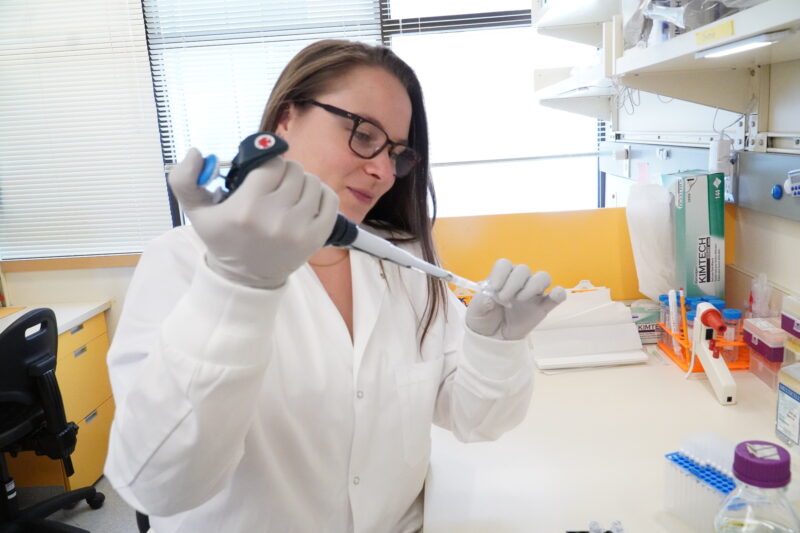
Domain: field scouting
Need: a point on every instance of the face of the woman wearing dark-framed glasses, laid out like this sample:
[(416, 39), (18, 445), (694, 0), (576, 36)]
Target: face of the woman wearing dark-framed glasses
[(318, 139)]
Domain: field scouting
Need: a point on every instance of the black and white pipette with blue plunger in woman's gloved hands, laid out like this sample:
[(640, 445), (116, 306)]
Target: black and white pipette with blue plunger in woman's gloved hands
[(258, 148)]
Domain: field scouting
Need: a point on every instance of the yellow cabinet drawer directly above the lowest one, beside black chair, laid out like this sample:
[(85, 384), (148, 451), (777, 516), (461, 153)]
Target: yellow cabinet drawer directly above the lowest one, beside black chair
[(83, 378)]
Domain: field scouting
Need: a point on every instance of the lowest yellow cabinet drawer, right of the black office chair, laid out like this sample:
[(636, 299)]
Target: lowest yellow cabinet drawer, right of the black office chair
[(90, 452)]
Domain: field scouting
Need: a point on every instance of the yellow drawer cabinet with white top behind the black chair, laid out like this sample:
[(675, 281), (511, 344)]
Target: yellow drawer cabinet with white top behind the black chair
[(86, 390)]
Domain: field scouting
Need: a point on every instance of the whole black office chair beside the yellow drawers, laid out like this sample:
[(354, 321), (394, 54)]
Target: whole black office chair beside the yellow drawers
[(32, 418)]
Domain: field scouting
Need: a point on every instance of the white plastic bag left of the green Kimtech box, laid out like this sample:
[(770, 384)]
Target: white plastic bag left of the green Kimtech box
[(650, 225)]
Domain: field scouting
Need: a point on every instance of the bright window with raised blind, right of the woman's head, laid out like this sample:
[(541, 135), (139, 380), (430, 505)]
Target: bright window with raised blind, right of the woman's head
[(493, 148)]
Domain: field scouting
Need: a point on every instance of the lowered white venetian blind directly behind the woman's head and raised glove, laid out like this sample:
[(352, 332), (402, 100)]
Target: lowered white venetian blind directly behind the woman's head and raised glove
[(214, 62)]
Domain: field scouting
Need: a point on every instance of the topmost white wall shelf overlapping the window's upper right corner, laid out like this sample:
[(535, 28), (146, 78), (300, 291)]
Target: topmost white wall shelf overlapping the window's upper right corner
[(578, 21)]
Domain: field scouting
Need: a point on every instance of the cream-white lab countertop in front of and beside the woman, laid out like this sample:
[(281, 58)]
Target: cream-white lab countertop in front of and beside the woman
[(591, 448)]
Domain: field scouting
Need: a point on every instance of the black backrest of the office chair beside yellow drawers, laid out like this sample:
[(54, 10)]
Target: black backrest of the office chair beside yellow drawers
[(28, 378)]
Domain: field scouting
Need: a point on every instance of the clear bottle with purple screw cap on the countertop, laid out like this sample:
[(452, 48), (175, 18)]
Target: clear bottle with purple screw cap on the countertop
[(759, 503)]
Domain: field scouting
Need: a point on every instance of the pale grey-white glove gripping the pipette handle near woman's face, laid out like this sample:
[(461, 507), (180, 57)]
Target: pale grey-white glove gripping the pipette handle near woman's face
[(267, 228)]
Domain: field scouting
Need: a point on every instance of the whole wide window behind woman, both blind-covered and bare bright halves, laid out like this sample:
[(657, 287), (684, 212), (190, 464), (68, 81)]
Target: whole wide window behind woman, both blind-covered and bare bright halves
[(215, 66)]
